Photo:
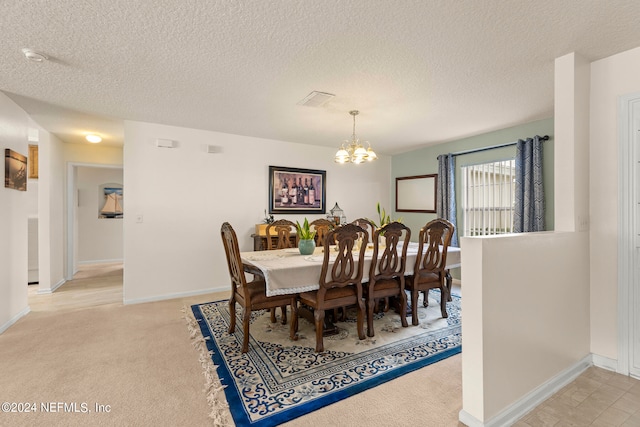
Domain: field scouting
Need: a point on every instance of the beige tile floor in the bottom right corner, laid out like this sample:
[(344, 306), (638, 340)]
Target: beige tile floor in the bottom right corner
[(596, 398)]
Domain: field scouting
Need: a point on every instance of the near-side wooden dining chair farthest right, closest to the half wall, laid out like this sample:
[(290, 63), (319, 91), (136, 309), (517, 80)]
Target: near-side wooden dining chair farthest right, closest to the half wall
[(430, 268)]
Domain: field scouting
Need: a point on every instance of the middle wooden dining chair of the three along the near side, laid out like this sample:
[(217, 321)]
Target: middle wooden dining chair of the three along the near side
[(386, 275)]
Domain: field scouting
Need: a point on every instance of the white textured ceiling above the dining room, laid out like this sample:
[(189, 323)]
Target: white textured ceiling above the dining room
[(420, 72)]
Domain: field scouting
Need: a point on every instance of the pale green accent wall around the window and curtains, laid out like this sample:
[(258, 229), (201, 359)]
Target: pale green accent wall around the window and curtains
[(424, 161)]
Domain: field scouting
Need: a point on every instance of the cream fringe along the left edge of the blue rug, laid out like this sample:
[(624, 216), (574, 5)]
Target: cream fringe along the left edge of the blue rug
[(213, 388)]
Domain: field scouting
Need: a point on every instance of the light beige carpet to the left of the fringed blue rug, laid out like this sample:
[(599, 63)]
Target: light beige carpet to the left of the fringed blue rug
[(136, 359)]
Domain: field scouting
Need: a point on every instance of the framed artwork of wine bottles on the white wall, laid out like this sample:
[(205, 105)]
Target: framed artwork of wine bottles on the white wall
[(296, 191)]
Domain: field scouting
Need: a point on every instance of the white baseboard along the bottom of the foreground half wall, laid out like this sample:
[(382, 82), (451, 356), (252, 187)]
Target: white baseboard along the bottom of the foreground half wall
[(535, 397)]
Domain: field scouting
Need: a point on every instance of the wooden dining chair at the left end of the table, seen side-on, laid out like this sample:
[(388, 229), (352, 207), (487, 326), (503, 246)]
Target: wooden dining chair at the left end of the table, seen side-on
[(250, 295)]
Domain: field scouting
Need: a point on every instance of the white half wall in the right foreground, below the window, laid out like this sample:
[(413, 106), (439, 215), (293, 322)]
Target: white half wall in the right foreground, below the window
[(526, 316)]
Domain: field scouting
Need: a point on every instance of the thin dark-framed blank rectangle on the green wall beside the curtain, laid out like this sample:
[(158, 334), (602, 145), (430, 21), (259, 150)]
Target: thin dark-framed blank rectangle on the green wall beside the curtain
[(416, 193)]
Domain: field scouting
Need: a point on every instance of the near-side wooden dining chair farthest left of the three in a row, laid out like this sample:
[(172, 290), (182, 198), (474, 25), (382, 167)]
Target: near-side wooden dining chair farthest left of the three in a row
[(340, 280)]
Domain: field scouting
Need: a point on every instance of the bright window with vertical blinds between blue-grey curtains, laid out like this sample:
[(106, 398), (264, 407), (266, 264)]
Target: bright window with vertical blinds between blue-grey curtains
[(488, 198)]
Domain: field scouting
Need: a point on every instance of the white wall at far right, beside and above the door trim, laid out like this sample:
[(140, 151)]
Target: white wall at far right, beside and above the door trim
[(610, 78)]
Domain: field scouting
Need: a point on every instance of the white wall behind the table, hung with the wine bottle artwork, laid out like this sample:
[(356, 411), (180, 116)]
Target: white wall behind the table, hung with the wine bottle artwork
[(185, 194)]
